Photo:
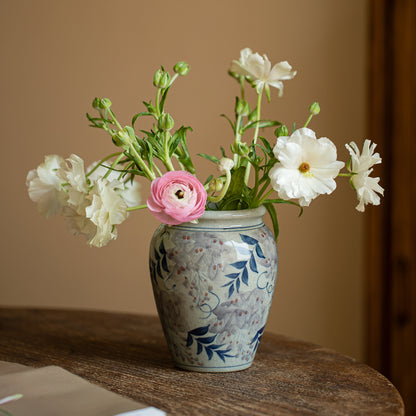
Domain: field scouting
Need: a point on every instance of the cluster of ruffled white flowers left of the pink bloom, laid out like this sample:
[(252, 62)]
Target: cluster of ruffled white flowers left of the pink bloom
[(93, 203)]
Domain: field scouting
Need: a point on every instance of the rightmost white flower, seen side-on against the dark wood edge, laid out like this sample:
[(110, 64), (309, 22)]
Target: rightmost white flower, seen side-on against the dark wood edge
[(361, 166)]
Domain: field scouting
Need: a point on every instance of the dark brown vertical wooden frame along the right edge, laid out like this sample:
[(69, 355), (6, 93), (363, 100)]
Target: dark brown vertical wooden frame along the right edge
[(392, 226)]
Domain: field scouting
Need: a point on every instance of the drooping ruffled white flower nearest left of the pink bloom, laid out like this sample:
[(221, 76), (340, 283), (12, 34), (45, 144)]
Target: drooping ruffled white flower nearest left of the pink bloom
[(107, 209)]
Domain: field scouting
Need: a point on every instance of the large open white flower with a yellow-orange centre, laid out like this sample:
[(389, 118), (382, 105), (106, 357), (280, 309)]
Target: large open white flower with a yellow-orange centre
[(306, 166)]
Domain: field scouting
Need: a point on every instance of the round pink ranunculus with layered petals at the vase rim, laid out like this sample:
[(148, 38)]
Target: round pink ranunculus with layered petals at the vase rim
[(177, 197)]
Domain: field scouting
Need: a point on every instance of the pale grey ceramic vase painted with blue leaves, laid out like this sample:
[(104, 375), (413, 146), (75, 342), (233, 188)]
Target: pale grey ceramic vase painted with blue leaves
[(213, 284)]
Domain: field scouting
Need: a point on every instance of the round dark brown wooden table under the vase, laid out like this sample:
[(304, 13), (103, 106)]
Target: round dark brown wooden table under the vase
[(127, 354)]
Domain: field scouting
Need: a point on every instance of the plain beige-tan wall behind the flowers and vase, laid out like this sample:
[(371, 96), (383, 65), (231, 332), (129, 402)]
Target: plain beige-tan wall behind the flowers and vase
[(56, 56)]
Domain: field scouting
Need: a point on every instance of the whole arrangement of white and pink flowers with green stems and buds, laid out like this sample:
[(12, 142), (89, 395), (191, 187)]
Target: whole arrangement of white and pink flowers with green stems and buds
[(295, 165)]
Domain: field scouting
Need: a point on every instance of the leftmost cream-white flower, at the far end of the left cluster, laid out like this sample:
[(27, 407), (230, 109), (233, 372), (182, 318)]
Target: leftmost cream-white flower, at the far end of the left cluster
[(45, 187)]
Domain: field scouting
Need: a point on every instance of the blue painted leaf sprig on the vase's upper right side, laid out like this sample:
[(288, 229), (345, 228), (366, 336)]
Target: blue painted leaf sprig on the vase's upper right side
[(242, 275)]
